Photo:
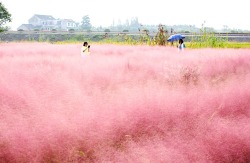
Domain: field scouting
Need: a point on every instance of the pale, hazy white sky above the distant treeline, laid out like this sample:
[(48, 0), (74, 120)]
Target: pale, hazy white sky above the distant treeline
[(215, 13)]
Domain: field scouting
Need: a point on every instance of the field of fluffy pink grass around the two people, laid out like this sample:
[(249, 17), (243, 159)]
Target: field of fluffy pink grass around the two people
[(123, 104)]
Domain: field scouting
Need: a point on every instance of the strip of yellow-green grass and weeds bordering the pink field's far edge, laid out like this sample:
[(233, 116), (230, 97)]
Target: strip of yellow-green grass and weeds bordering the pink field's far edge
[(206, 40)]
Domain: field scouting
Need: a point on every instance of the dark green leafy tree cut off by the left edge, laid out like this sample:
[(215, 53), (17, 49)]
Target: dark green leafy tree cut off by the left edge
[(5, 17)]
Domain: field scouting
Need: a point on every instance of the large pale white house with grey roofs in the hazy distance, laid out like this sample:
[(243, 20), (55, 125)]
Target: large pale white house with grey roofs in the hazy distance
[(48, 23)]
